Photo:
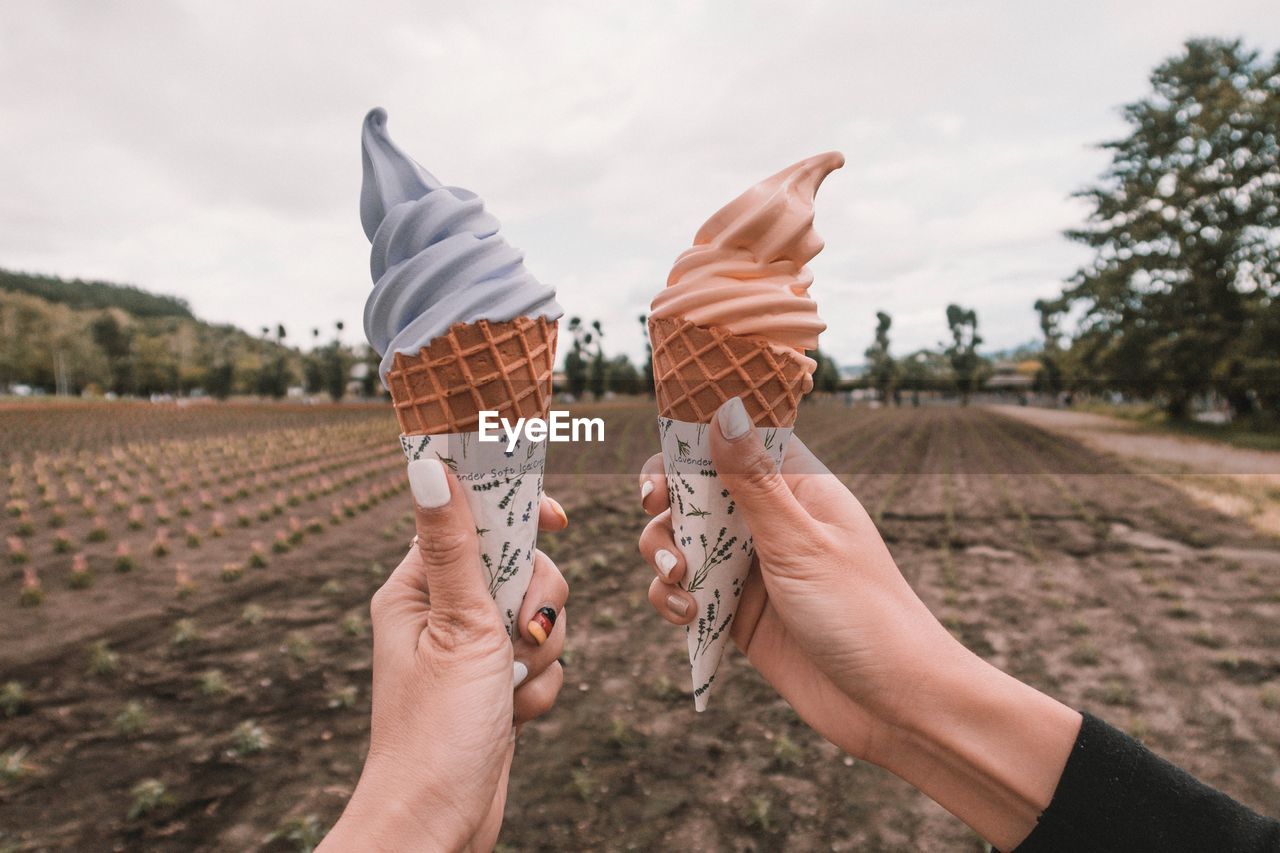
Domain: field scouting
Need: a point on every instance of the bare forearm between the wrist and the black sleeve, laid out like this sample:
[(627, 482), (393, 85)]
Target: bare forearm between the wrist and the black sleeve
[(982, 745)]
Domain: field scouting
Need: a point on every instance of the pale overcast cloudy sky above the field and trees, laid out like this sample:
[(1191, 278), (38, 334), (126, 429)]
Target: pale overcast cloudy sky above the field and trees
[(211, 150)]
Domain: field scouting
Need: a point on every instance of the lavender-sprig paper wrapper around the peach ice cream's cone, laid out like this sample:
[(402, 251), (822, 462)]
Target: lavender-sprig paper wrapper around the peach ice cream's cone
[(714, 539)]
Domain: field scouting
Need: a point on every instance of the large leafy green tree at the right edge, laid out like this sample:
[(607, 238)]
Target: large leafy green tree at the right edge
[(1182, 289)]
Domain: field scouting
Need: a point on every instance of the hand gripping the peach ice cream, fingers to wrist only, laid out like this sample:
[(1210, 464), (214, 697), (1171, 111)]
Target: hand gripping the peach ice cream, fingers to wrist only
[(825, 615)]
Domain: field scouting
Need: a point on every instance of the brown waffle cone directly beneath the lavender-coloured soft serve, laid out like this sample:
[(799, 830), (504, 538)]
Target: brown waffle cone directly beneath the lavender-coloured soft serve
[(473, 368)]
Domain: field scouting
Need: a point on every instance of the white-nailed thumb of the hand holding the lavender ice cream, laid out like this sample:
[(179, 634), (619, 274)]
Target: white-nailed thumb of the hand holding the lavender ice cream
[(447, 542)]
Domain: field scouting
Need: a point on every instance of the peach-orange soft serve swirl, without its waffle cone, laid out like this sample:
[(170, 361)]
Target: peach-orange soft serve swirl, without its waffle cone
[(746, 272)]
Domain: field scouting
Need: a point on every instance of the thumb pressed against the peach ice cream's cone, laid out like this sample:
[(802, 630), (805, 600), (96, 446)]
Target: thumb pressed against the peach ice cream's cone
[(753, 478)]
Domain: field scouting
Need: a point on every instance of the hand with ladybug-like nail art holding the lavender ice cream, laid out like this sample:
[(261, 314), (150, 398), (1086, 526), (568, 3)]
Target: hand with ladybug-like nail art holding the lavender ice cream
[(450, 688)]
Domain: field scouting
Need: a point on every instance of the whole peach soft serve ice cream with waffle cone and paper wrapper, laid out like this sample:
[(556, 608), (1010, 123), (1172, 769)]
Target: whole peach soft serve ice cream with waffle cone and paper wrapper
[(735, 321)]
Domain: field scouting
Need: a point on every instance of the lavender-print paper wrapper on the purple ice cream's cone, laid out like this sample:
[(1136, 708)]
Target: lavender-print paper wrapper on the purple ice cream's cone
[(505, 491)]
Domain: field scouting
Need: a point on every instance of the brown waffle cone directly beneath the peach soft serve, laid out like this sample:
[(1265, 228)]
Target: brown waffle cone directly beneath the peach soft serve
[(696, 370)]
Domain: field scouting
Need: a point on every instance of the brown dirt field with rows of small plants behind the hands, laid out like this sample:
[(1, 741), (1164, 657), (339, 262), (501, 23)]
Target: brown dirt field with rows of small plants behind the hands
[(248, 697)]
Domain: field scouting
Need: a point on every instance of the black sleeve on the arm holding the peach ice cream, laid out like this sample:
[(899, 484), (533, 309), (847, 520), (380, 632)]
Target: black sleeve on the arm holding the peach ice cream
[(1116, 795)]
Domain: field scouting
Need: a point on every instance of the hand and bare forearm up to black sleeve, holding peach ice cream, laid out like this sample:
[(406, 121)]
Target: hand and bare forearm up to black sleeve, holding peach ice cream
[(830, 622)]
